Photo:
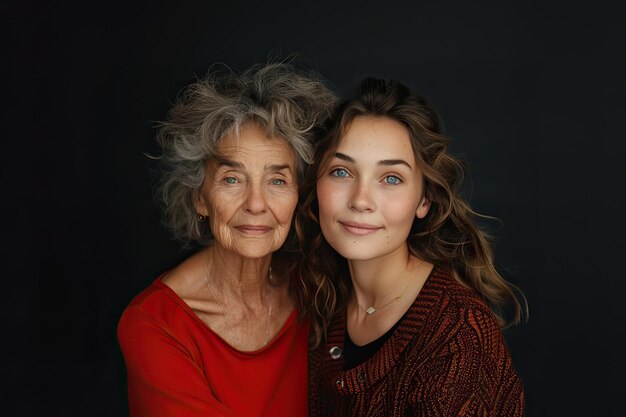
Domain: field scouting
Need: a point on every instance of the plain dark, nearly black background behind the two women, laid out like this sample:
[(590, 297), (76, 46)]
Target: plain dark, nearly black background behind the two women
[(531, 93)]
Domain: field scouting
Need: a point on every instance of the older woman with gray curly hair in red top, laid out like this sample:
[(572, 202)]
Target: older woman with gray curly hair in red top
[(222, 333)]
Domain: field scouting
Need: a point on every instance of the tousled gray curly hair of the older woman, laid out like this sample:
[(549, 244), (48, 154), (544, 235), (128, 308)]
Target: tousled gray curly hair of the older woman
[(286, 103)]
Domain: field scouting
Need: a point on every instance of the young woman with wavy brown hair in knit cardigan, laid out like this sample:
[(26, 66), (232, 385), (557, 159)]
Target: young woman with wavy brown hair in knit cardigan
[(410, 304)]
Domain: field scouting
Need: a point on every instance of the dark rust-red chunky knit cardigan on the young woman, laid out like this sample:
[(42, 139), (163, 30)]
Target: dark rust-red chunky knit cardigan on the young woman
[(446, 358)]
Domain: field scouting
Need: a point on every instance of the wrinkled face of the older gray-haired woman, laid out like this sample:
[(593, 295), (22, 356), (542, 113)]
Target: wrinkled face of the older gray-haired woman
[(250, 193)]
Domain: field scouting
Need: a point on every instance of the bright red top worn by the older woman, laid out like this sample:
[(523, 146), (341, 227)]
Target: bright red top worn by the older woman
[(177, 366)]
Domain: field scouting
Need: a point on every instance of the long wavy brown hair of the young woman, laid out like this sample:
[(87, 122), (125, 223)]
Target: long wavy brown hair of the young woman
[(448, 236)]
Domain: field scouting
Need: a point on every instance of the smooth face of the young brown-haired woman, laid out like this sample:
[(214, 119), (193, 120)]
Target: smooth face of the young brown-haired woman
[(371, 190)]
